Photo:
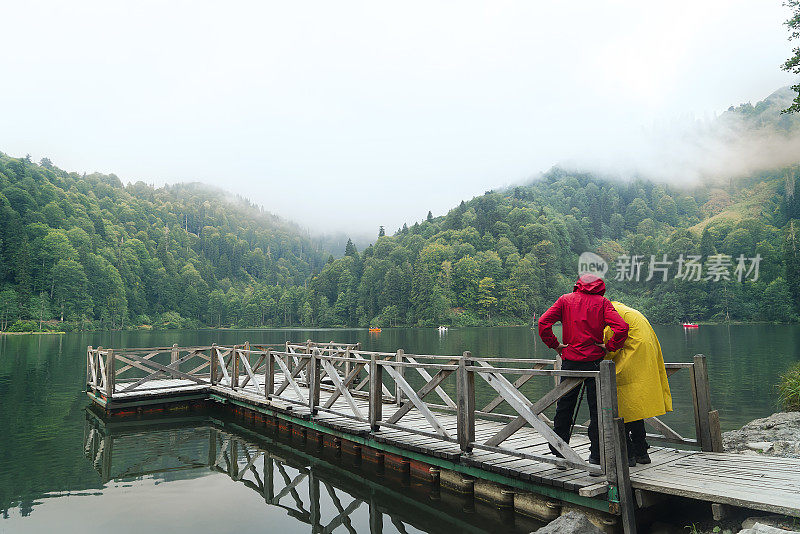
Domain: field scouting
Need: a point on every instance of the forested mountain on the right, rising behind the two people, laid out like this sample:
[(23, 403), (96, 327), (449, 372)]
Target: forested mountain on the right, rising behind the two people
[(507, 255)]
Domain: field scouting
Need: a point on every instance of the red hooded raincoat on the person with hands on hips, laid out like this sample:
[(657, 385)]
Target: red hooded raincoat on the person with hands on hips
[(584, 314)]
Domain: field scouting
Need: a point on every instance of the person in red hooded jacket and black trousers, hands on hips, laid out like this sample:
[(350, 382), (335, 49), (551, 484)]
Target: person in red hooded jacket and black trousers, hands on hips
[(584, 314)]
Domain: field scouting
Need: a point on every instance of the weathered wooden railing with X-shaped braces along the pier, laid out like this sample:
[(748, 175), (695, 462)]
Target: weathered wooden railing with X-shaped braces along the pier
[(297, 373)]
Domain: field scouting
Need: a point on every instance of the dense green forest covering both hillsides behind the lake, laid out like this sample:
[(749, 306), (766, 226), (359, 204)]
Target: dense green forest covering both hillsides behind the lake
[(86, 251)]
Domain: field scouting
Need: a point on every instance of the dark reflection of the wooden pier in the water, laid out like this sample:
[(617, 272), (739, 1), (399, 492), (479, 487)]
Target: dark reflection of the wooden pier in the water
[(323, 489)]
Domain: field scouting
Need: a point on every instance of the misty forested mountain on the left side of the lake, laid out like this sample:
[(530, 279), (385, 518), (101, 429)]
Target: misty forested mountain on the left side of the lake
[(90, 252)]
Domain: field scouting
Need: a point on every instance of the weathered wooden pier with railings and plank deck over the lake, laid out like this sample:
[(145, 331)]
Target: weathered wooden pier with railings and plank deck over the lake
[(422, 408)]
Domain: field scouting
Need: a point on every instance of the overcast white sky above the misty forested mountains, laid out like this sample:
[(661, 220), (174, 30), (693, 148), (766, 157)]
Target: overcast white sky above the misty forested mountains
[(348, 115)]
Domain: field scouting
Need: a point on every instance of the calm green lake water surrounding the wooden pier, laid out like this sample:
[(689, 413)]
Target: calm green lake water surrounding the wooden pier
[(160, 474)]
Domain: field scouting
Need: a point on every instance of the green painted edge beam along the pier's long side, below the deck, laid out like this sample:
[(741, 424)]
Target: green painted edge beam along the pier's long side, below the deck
[(555, 493)]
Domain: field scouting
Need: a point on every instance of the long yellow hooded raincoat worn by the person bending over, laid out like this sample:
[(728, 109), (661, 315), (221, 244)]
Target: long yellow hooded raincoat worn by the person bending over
[(642, 387)]
